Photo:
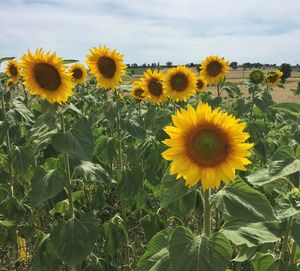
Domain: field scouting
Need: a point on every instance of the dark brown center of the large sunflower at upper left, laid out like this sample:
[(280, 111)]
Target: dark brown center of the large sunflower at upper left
[(47, 76)]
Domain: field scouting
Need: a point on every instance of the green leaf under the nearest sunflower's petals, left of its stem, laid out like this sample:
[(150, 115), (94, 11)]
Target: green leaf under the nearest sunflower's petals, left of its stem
[(171, 189)]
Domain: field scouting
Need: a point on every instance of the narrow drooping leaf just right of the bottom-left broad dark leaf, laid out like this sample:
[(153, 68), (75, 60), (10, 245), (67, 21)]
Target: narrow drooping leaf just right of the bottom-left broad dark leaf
[(114, 234)]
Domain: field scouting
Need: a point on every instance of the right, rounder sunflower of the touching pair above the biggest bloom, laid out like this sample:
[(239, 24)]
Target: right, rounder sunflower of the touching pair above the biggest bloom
[(180, 83)]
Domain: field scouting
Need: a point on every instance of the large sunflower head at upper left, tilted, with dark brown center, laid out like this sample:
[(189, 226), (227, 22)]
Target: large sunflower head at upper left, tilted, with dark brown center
[(45, 75)]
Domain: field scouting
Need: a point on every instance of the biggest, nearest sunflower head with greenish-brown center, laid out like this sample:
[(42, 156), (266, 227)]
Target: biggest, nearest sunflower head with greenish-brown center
[(206, 146)]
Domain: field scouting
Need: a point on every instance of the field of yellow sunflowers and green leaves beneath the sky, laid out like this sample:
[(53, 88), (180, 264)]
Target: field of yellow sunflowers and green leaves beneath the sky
[(174, 169)]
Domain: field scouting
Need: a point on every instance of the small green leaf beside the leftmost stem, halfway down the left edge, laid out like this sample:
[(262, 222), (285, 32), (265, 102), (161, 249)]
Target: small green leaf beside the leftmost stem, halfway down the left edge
[(22, 159)]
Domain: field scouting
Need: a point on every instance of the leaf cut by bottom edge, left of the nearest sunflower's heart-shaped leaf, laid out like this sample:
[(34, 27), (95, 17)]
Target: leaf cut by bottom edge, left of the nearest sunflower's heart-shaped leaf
[(156, 256)]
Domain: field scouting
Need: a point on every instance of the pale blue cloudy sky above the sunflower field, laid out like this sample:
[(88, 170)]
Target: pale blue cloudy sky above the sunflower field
[(149, 31)]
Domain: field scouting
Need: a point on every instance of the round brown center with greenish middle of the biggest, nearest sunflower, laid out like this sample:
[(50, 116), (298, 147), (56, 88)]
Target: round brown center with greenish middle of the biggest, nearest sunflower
[(207, 146)]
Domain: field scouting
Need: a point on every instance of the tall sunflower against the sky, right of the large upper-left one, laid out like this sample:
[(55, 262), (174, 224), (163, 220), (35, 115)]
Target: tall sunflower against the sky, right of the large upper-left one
[(107, 66)]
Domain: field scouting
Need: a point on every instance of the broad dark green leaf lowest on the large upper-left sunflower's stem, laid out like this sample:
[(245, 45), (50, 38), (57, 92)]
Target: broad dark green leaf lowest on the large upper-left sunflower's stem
[(74, 240)]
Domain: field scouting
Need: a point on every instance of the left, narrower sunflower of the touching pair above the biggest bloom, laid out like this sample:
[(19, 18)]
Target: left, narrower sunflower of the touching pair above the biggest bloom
[(154, 86)]
